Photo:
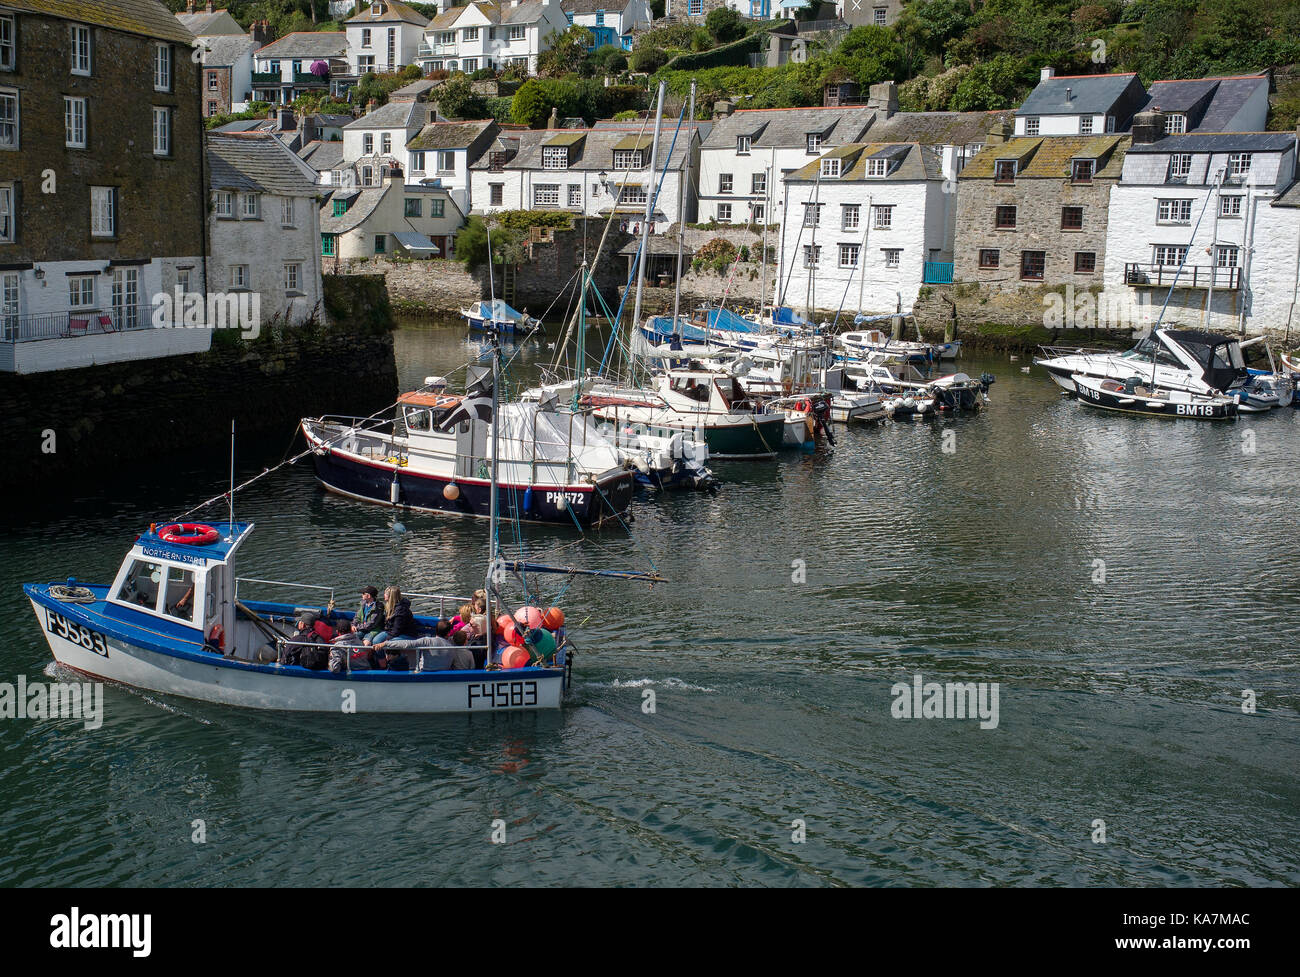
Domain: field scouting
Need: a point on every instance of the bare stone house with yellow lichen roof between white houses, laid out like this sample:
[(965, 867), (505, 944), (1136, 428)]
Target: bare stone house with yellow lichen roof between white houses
[(1034, 212)]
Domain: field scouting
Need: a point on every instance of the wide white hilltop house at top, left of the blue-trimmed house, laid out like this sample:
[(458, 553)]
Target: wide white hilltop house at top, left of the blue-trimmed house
[(491, 36)]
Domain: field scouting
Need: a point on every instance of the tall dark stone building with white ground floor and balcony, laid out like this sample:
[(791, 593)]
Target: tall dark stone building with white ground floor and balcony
[(102, 181)]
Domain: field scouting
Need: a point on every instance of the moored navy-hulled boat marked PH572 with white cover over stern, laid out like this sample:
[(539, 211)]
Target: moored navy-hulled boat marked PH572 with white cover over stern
[(554, 466)]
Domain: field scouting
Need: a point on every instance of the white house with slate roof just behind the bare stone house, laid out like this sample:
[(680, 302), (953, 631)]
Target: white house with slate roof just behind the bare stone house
[(1087, 105)]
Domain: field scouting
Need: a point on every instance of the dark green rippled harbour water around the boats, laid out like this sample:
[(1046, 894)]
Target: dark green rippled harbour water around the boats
[(1124, 581)]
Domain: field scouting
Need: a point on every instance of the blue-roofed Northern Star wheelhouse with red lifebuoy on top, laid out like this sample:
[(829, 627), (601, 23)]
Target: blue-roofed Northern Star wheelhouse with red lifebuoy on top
[(181, 588)]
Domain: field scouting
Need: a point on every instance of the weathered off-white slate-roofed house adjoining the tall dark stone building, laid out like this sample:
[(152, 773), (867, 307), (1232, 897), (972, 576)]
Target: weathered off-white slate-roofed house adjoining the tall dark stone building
[(265, 227)]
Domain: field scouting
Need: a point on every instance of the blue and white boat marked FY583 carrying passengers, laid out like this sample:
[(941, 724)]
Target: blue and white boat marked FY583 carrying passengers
[(175, 622)]
